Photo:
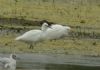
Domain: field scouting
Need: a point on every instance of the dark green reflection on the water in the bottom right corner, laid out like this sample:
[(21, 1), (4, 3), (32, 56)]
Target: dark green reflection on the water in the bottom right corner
[(69, 67)]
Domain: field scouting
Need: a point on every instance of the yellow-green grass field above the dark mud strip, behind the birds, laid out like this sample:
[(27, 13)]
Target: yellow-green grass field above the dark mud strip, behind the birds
[(73, 14)]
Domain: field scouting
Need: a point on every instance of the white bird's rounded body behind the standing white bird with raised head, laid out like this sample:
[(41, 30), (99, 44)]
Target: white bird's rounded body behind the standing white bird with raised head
[(56, 31)]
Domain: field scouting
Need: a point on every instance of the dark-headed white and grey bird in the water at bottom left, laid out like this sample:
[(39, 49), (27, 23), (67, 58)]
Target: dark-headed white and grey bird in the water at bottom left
[(9, 63)]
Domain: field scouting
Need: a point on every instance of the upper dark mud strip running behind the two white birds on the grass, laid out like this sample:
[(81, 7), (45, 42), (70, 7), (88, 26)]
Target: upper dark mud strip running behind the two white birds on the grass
[(25, 22)]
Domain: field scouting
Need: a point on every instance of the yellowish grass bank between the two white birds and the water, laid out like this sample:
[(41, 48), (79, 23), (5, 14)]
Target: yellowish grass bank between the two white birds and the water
[(62, 46)]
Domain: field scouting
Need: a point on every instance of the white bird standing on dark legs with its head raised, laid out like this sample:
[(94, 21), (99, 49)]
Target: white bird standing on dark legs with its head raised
[(33, 36)]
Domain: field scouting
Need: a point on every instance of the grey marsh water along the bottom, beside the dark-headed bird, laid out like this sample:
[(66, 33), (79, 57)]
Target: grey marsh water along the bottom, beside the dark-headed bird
[(56, 62)]
